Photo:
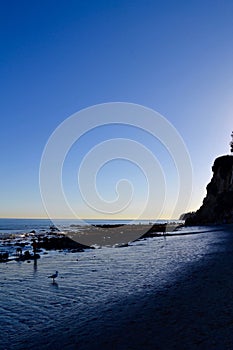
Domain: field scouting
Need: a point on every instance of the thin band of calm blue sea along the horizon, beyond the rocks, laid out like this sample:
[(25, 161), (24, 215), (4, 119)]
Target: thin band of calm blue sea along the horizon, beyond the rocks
[(26, 225)]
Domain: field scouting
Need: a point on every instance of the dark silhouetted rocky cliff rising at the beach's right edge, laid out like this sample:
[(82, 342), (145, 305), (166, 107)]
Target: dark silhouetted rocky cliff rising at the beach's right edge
[(217, 206)]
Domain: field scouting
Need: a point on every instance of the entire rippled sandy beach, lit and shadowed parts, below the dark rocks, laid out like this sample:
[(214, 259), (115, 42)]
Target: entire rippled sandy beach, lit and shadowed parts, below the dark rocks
[(157, 293)]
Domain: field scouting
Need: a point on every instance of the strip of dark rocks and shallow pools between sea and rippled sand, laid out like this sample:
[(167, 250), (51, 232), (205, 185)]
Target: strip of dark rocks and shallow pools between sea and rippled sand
[(90, 237)]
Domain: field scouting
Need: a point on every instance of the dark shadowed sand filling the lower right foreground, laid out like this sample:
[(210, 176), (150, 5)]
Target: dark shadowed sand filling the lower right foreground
[(196, 312)]
